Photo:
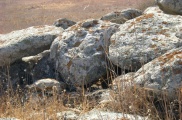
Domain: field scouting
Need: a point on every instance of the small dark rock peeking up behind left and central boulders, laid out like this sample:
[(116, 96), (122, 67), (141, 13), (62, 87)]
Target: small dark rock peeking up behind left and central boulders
[(64, 23)]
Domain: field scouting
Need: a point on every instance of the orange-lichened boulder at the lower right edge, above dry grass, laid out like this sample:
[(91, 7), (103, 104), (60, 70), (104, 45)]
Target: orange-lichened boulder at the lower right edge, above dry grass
[(163, 74)]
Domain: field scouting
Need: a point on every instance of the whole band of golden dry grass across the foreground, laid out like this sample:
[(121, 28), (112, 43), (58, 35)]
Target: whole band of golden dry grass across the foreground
[(137, 101)]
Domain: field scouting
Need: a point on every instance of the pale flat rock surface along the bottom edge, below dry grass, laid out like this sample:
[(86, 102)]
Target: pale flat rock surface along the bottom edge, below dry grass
[(97, 114)]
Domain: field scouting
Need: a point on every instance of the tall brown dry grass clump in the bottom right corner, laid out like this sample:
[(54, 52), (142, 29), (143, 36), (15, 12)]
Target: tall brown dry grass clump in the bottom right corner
[(144, 102)]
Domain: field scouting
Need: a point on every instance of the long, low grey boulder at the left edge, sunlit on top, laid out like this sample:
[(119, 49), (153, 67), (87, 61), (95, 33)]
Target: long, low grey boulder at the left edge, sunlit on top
[(26, 42)]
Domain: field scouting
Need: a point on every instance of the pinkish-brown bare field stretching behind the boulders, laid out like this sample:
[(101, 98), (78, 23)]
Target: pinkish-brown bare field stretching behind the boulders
[(20, 14)]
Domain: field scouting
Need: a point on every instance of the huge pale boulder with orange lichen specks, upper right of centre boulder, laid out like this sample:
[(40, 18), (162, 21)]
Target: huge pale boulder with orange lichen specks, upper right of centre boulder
[(145, 38)]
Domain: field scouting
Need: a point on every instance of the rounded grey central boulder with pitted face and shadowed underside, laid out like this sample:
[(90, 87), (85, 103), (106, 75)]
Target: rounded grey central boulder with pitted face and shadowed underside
[(80, 50)]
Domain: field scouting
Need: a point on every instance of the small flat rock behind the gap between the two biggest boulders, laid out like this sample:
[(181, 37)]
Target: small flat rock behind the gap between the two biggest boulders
[(122, 16)]
